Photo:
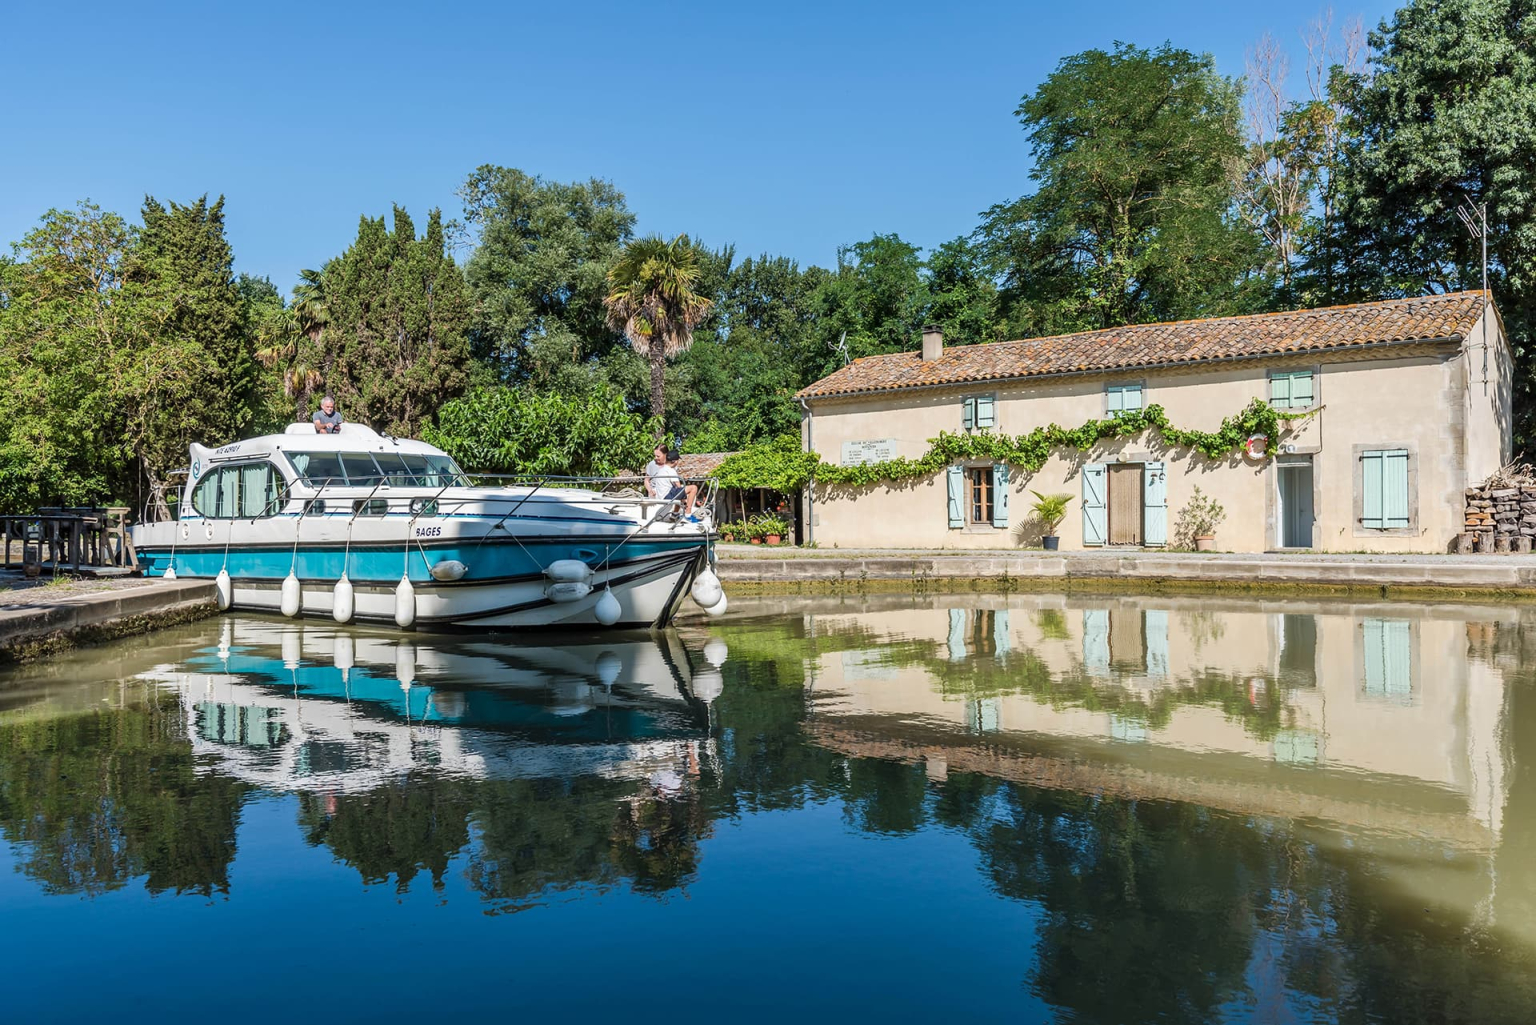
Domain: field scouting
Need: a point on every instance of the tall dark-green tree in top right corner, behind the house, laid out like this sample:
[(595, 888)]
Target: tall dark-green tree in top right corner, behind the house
[(1448, 116)]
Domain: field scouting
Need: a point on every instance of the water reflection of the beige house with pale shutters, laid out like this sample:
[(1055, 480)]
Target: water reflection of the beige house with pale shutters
[(1360, 715)]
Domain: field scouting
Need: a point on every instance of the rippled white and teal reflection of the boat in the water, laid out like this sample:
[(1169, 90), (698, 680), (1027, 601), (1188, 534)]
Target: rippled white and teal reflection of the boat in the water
[(293, 708)]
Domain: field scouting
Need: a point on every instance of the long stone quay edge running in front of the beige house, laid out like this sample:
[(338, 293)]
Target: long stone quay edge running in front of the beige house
[(812, 569)]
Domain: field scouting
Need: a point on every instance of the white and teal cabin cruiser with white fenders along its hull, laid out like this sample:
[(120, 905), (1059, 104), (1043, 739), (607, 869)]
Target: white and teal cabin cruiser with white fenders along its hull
[(362, 526)]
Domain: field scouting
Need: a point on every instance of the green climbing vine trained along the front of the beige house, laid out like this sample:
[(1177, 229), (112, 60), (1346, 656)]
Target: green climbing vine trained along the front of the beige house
[(783, 466)]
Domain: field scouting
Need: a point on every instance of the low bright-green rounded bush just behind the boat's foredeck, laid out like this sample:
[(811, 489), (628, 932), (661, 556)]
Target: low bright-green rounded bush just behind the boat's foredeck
[(511, 431)]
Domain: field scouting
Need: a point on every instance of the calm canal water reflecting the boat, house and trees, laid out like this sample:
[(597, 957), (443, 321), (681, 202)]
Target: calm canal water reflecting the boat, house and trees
[(889, 809)]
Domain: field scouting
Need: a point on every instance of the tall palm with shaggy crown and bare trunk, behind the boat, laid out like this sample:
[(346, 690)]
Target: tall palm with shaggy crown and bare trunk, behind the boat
[(654, 302)]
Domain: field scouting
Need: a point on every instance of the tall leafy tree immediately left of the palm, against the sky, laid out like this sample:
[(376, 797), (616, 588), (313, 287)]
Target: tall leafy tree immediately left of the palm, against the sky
[(540, 271)]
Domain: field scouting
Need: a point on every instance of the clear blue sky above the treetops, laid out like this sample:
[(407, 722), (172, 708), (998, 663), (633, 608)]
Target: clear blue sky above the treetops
[(784, 128)]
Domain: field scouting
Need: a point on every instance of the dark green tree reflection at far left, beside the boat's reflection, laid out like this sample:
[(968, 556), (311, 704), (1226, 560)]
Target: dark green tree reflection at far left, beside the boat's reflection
[(104, 797)]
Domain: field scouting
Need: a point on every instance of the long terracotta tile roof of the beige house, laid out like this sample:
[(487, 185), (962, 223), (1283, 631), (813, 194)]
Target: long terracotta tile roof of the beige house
[(1136, 347)]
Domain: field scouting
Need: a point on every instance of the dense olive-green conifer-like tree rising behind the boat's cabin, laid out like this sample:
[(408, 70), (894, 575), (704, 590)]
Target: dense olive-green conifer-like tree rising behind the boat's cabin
[(397, 325)]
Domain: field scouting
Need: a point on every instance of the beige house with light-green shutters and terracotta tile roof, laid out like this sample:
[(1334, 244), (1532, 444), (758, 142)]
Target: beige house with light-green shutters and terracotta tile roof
[(1409, 406)]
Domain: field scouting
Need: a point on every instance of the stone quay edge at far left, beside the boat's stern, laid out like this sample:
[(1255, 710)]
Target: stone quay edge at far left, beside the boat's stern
[(44, 620)]
